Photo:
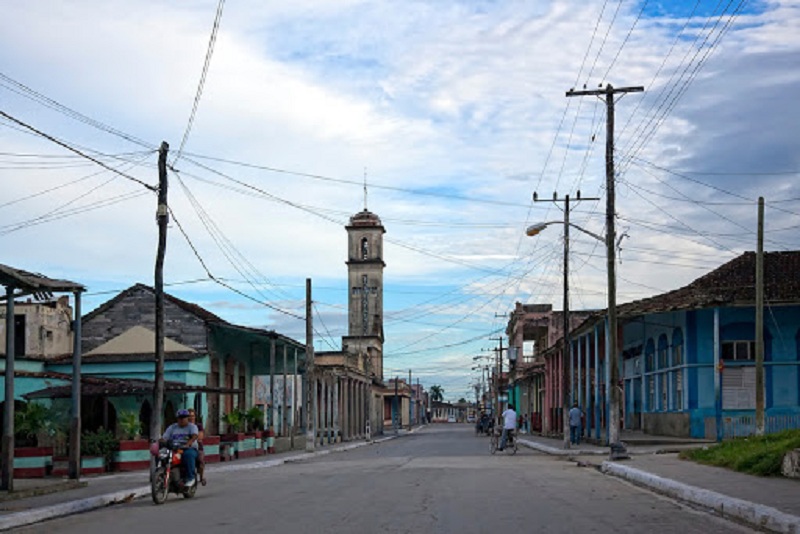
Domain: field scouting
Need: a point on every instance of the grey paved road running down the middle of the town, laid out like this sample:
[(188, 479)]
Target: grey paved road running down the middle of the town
[(441, 479)]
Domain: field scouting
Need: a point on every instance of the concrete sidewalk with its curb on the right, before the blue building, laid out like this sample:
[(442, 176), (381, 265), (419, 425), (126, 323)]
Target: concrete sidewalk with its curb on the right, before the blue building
[(771, 504)]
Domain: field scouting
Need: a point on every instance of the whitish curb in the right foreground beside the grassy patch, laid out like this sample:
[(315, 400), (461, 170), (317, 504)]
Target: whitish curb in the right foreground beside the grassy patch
[(752, 514)]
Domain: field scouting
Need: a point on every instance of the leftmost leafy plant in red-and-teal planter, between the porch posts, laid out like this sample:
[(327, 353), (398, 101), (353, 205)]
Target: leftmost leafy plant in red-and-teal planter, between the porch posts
[(30, 422)]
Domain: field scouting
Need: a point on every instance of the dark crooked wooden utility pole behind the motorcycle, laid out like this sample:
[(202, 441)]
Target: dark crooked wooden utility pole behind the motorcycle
[(162, 217)]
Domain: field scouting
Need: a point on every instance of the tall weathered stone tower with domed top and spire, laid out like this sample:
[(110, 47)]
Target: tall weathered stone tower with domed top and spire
[(365, 276)]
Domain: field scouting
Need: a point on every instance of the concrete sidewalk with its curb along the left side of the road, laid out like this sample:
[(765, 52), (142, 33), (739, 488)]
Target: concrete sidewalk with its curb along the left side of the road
[(105, 490)]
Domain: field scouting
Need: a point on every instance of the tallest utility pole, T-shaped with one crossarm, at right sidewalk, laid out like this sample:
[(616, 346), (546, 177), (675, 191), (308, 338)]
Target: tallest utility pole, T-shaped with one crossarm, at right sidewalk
[(612, 357)]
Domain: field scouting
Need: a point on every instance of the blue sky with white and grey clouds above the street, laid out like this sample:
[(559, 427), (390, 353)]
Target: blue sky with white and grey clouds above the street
[(452, 111)]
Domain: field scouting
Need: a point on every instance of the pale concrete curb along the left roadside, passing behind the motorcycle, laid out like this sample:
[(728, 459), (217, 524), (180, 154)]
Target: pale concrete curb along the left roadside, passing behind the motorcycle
[(29, 517)]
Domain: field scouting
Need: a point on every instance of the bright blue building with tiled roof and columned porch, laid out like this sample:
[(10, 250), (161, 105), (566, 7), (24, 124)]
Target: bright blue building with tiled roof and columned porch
[(688, 355)]
